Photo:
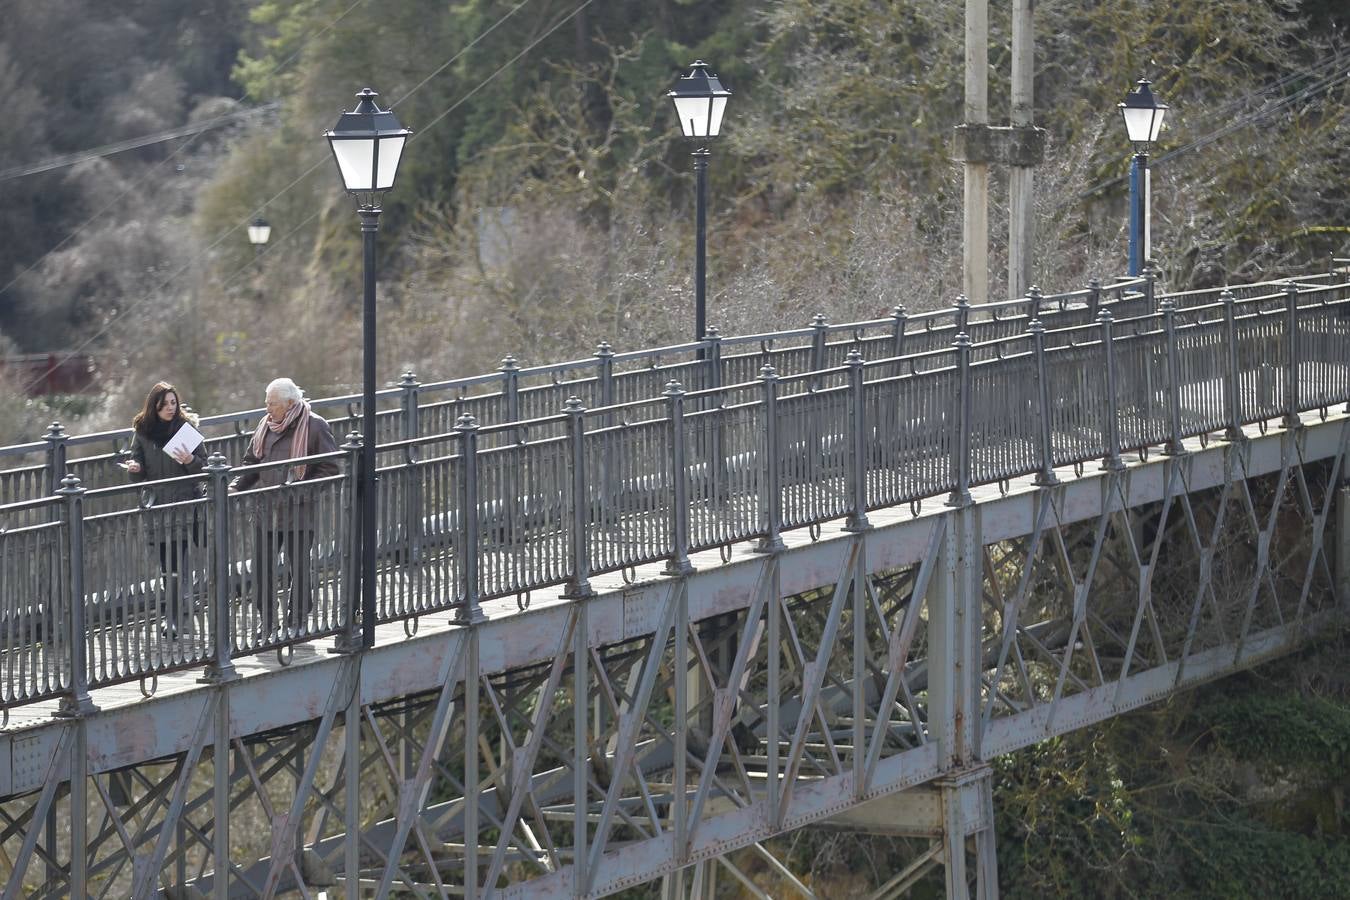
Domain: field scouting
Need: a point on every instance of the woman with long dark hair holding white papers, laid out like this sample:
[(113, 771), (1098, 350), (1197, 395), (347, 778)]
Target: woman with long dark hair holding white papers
[(155, 426)]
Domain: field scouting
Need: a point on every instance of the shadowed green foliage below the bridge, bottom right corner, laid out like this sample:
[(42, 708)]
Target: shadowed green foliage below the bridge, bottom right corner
[(1236, 790)]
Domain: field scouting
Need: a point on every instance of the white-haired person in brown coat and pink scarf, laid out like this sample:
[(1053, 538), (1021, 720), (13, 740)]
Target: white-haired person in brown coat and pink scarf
[(287, 524)]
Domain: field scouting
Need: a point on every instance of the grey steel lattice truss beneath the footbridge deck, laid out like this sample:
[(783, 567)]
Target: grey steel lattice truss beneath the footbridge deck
[(673, 755)]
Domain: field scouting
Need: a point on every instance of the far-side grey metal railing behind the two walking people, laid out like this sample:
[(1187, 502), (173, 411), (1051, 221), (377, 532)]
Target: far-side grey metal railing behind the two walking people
[(512, 393)]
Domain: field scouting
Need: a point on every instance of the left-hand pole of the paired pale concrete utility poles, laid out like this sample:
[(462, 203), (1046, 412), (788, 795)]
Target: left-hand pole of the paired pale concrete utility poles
[(975, 254)]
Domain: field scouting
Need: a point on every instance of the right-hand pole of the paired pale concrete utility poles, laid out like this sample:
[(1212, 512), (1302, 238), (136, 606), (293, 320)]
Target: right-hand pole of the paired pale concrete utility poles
[(1021, 179)]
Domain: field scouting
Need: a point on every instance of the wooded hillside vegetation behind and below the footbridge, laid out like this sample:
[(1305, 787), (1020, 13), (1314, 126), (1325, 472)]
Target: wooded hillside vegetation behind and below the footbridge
[(546, 204)]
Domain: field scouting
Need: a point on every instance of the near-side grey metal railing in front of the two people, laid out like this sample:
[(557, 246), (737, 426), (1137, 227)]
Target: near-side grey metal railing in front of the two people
[(106, 586)]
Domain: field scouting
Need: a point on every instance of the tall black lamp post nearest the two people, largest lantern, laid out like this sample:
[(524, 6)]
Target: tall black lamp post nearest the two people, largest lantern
[(368, 145)]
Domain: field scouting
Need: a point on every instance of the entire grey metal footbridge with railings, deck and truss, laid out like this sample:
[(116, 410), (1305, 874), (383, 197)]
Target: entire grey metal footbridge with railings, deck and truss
[(642, 613)]
